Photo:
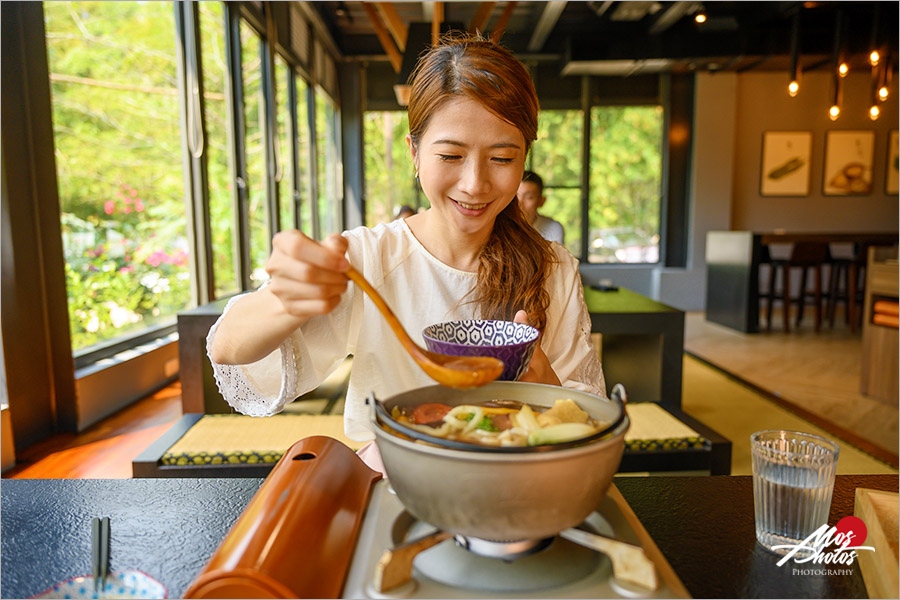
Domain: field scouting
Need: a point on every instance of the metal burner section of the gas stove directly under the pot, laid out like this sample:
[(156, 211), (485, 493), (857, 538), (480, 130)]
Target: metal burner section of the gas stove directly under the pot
[(472, 568)]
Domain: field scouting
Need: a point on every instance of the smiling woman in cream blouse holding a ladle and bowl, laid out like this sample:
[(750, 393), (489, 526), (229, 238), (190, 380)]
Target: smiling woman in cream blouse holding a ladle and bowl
[(472, 116)]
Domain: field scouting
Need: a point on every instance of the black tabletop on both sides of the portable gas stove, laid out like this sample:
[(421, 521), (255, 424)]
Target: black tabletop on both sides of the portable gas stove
[(169, 528)]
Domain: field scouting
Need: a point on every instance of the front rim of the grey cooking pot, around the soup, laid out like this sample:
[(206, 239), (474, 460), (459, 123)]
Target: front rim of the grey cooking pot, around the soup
[(381, 419)]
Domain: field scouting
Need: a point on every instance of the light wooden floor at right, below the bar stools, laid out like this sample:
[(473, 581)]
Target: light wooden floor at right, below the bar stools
[(814, 375)]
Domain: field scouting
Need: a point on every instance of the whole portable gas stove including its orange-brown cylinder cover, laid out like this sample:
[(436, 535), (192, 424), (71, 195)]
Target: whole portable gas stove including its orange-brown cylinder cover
[(324, 525)]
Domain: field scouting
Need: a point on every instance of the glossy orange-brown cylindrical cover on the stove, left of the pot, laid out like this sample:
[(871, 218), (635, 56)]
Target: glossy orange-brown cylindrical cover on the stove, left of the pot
[(297, 535)]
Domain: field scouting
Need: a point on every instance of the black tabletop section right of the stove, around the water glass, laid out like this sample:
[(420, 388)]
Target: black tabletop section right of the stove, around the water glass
[(704, 526)]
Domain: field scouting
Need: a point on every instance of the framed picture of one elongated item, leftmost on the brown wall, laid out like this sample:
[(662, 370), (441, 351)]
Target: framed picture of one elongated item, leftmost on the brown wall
[(785, 163)]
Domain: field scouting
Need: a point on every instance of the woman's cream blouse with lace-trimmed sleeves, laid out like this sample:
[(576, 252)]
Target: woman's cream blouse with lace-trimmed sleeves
[(421, 291)]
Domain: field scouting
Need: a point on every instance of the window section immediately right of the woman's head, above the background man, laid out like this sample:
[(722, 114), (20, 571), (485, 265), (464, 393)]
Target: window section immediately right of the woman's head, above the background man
[(556, 157)]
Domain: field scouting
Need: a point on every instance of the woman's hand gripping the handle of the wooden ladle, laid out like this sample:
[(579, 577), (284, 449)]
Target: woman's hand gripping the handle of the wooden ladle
[(307, 277)]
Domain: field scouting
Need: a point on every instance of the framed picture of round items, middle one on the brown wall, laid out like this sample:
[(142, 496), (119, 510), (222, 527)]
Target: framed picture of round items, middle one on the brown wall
[(848, 163)]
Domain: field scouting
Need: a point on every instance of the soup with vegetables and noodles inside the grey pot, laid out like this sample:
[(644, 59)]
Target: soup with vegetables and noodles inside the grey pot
[(501, 422)]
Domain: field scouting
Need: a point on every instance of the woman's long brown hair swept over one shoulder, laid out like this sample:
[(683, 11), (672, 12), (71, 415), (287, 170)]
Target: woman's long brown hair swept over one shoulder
[(516, 261)]
